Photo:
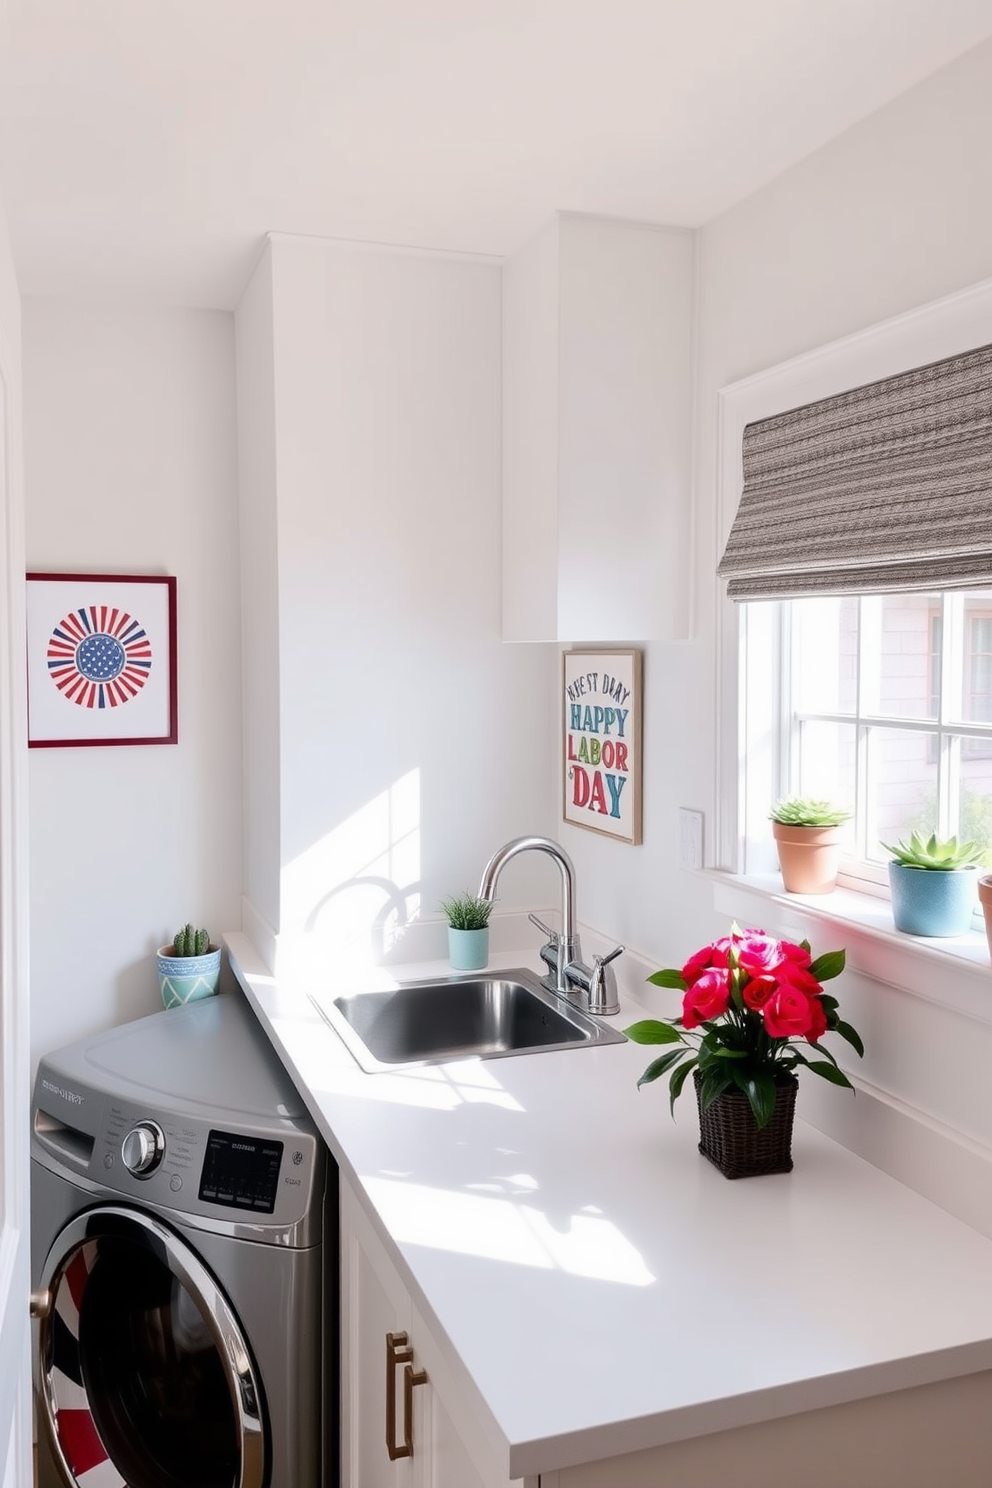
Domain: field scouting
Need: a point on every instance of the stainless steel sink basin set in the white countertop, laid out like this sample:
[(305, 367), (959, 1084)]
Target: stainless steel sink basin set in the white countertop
[(483, 1016)]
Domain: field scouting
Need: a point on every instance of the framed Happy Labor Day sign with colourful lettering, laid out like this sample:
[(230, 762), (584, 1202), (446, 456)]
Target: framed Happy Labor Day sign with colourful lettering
[(602, 742)]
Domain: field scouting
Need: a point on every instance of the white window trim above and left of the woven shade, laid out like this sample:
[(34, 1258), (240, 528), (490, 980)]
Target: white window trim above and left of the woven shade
[(941, 330)]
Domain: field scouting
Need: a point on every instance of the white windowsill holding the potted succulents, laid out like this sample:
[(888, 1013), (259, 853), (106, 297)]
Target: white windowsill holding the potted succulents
[(951, 972)]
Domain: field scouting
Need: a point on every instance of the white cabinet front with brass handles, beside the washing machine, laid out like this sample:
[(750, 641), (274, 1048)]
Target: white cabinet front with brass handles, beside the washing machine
[(398, 1431)]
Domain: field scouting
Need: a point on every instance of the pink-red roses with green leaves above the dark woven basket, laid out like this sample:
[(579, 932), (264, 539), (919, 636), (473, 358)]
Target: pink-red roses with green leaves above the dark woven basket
[(753, 1011)]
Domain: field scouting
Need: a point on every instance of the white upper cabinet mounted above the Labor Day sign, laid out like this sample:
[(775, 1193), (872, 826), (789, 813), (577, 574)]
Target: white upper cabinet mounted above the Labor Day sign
[(597, 432)]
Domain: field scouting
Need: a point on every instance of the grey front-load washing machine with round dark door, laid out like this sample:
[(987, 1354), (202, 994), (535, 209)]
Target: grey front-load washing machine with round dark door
[(185, 1261)]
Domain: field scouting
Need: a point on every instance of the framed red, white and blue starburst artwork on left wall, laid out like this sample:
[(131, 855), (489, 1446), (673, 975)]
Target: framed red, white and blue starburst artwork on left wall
[(102, 660)]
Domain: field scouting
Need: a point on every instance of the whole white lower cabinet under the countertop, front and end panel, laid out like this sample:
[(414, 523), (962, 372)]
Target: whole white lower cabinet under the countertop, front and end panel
[(918, 1438)]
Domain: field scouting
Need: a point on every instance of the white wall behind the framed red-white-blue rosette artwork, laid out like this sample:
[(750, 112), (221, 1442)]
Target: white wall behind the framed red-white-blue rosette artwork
[(132, 468)]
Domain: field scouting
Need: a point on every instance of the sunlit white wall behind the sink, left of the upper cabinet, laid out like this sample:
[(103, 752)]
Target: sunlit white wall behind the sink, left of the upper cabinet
[(413, 740)]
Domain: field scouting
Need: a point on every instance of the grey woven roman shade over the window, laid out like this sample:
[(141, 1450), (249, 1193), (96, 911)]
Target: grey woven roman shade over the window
[(883, 487)]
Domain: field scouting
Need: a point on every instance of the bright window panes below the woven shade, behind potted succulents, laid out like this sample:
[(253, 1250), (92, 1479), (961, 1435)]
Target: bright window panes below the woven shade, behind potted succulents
[(883, 703)]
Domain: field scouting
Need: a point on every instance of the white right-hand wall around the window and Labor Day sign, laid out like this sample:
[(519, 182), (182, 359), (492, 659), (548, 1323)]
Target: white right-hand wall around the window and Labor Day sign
[(890, 217)]
